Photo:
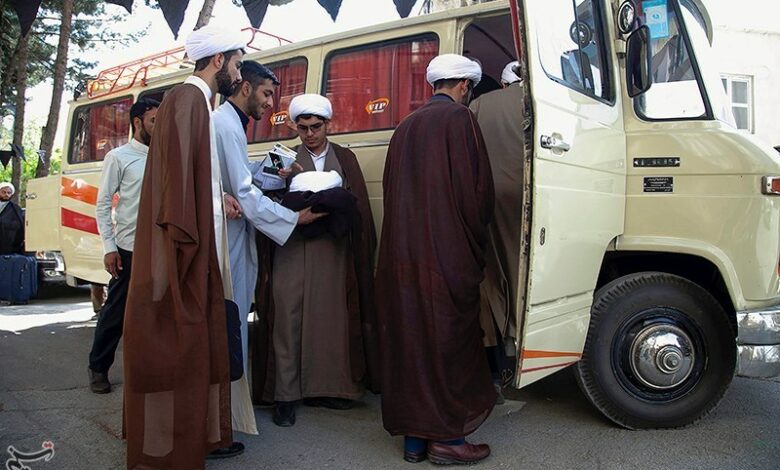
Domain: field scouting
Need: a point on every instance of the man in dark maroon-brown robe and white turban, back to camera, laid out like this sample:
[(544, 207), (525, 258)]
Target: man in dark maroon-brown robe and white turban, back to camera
[(438, 200)]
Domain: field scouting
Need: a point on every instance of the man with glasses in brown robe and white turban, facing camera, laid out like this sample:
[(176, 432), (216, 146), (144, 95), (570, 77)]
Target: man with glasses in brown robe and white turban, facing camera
[(321, 298)]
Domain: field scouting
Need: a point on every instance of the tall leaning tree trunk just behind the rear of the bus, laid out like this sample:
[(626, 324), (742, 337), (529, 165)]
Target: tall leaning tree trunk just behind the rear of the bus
[(60, 67)]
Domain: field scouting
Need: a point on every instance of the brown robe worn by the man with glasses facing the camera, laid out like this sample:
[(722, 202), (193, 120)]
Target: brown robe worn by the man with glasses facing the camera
[(317, 331)]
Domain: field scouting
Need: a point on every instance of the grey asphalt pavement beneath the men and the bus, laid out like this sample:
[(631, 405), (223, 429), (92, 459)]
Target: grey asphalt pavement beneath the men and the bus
[(43, 396)]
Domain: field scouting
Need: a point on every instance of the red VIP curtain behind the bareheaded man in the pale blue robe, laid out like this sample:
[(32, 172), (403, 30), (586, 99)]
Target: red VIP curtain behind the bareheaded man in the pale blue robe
[(292, 78)]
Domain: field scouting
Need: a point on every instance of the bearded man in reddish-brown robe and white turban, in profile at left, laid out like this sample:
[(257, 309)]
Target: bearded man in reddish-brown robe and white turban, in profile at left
[(177, 384)]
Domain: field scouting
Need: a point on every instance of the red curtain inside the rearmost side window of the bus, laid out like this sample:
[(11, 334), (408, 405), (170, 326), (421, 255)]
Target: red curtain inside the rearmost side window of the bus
[(109, 126)]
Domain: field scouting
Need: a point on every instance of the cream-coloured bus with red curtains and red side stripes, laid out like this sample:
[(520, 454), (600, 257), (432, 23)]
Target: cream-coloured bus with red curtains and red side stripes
[(651, 243)]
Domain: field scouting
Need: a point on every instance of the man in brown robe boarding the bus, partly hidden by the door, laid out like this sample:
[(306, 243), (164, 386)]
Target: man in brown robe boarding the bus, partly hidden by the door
[(501, 115)]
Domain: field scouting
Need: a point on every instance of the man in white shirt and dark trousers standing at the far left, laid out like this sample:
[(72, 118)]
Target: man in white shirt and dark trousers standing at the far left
[(123, 174)]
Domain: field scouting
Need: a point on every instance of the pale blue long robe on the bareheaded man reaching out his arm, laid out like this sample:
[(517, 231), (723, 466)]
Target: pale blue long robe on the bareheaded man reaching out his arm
[(257, 212)]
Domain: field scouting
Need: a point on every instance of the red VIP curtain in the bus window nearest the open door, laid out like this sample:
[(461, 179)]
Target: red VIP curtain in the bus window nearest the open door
[(376, 87)]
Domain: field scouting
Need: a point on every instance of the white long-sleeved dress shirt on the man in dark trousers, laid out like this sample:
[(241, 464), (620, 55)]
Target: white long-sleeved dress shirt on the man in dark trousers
[(123, 174)]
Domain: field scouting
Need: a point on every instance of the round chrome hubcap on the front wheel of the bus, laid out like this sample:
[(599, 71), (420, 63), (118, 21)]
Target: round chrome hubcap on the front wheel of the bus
[(662, 356)]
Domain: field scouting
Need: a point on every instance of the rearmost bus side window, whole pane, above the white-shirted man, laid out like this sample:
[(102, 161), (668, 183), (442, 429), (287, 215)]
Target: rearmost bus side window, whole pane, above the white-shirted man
[(99, 128)]
